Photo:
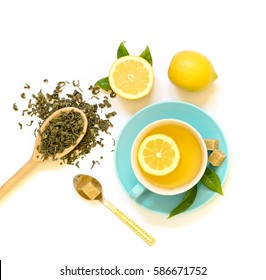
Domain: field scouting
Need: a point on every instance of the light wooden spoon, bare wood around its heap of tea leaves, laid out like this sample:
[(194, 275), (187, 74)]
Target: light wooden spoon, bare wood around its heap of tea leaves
[(36, 156)]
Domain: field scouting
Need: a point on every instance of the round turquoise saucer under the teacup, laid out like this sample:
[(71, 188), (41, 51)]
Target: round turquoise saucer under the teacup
[(186, 112)]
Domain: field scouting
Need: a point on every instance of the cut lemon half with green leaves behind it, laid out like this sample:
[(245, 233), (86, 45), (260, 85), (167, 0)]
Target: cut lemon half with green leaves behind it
[(131, 77)]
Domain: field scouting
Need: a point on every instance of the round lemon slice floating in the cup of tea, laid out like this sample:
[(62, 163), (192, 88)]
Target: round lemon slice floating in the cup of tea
[(158, 154)]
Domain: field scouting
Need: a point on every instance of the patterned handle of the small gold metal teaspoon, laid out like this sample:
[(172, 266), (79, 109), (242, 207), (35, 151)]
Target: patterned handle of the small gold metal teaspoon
[(130, 223)]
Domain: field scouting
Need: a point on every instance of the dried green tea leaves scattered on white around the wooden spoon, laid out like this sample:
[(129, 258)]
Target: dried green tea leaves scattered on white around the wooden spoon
[(42, 105)]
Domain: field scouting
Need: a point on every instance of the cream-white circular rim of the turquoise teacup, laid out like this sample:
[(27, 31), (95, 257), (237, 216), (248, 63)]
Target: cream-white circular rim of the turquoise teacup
[(157, 189)]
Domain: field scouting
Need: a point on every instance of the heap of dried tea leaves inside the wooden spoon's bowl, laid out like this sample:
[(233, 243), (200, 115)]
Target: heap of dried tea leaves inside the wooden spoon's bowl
[(61, 133)]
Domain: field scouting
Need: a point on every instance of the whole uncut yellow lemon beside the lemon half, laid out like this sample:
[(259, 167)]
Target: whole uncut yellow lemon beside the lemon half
[(192, 71)]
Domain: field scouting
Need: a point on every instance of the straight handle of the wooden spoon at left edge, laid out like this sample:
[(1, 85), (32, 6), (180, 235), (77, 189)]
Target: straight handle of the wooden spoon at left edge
[(24, 170)]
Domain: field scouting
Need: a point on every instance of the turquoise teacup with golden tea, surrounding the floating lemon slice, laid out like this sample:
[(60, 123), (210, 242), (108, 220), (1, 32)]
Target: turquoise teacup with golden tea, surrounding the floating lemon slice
[(192, 162)]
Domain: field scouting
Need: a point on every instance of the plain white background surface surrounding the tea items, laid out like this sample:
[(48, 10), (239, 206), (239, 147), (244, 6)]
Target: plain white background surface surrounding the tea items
[(45, 225)]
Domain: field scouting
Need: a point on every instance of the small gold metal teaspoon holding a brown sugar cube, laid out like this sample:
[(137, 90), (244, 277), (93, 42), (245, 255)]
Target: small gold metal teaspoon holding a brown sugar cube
[(91, 189)]
